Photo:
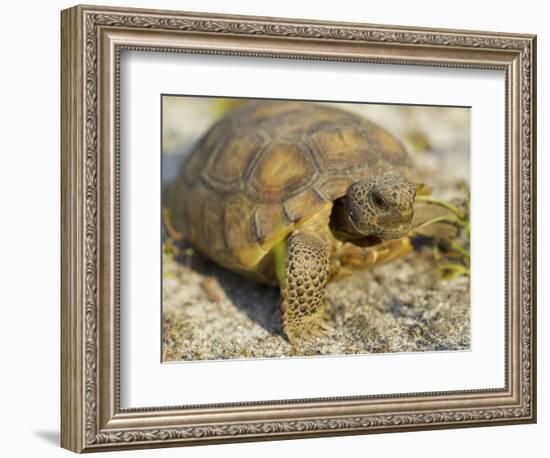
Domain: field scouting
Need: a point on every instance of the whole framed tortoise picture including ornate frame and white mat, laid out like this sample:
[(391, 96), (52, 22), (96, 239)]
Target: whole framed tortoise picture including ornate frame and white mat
[(277, 228)]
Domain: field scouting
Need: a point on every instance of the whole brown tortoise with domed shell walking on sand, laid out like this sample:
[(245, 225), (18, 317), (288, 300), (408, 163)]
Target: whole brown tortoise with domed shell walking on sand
[(295, 194)]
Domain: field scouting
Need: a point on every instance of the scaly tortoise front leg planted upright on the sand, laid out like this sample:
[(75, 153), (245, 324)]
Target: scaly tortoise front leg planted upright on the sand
[(303, 288)]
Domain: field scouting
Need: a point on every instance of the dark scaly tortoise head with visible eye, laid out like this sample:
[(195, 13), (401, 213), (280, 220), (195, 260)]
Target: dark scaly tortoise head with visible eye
[(380, 206)]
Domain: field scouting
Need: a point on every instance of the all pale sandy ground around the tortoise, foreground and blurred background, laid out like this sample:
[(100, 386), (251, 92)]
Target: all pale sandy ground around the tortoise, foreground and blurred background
[(211, 313)]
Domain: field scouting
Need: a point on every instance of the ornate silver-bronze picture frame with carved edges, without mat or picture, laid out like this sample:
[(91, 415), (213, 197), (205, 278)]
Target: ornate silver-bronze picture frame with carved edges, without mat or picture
[(93, 40)]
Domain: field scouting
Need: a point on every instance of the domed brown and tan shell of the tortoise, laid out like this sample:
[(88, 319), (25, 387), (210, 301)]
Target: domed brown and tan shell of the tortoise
[(266, 167)]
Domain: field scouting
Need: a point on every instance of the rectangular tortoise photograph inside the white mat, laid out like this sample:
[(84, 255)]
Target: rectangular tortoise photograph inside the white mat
[(304, 228)]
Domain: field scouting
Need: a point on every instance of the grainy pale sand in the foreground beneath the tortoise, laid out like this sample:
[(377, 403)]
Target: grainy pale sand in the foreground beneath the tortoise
[(211, 313)]
